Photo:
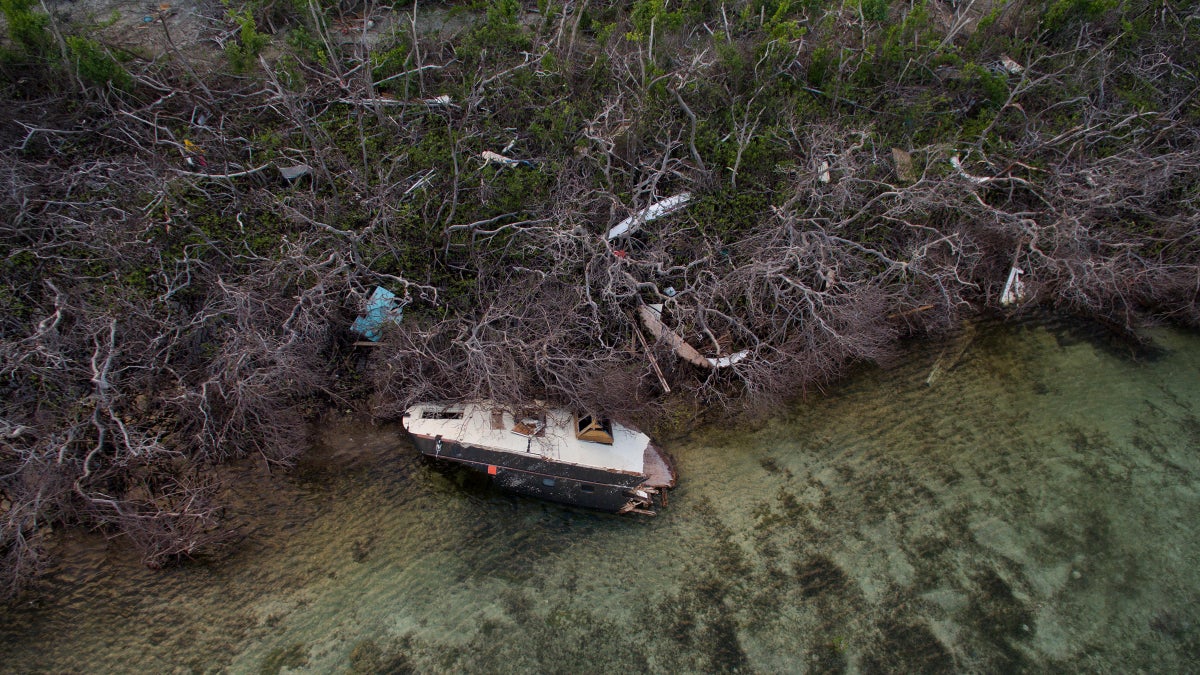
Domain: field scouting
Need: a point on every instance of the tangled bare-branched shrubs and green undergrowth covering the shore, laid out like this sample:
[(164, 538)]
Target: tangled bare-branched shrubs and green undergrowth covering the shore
[(861, 171)]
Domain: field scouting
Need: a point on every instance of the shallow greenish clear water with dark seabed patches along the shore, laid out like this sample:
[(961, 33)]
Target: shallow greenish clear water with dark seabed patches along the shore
[(1031, 506)]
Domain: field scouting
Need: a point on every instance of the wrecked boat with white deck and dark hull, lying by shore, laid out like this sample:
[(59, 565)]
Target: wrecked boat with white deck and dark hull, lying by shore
[(551, 455)]
